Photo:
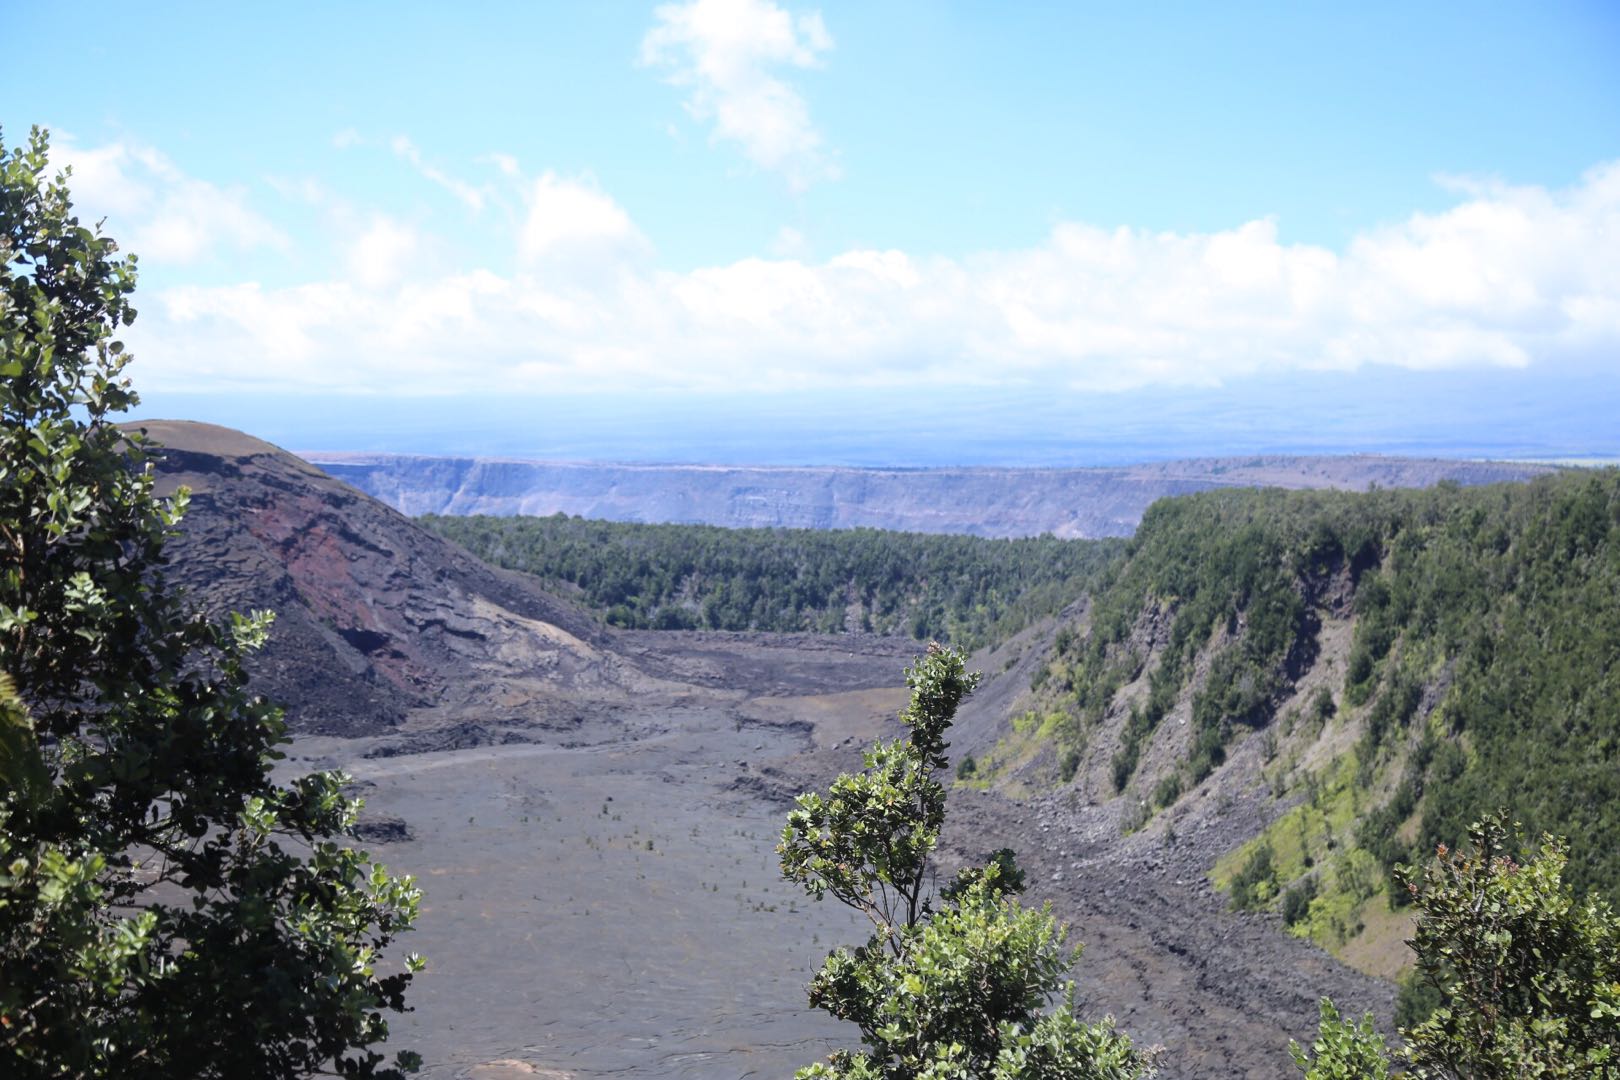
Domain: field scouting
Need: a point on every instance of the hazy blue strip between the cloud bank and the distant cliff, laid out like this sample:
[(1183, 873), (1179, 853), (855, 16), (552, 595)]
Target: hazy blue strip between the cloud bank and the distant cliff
[(1503, 417)]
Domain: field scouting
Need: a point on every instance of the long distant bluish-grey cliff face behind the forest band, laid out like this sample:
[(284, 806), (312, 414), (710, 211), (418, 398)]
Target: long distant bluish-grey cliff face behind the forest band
[(973, 501)]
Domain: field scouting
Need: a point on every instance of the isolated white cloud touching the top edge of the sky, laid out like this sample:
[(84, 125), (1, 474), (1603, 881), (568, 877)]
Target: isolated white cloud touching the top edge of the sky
[(723, 54)]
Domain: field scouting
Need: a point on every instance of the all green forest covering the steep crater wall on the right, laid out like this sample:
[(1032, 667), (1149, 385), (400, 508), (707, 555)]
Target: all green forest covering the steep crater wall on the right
[(1485, 670)]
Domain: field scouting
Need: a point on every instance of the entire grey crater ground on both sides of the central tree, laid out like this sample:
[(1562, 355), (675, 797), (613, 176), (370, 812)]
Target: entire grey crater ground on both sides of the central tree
[(603, 899)]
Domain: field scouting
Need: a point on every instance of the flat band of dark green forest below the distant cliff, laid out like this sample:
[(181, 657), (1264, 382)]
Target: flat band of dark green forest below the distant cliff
[(961, 590)]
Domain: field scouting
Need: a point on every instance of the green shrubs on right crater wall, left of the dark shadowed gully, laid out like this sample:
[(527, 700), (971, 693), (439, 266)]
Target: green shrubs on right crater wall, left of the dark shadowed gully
[(1230, 572)]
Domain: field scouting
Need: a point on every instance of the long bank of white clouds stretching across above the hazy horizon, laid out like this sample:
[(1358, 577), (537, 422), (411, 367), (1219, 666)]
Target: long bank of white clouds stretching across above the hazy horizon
[(1509, 276)]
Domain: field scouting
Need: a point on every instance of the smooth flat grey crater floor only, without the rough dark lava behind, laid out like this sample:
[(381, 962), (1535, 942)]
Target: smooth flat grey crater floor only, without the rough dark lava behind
[(605, 911)]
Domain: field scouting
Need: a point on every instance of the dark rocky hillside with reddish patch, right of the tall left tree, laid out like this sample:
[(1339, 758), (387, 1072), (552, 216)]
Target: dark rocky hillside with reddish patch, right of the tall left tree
[(375, 616)]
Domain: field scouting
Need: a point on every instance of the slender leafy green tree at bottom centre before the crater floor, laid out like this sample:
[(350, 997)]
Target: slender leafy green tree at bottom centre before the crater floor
[(947, 987)]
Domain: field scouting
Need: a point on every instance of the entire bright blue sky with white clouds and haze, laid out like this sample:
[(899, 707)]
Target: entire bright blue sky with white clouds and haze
[(743, 229)]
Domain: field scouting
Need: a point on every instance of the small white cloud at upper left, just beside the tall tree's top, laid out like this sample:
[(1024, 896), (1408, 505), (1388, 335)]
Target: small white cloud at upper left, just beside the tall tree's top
[(173, 218)]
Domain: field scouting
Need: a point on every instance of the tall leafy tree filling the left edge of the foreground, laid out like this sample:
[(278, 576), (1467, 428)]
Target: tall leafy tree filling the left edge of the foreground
[(166, 908)]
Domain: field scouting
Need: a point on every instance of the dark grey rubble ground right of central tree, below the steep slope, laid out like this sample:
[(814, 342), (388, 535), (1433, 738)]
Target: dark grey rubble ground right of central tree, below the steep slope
[(1221, 992)]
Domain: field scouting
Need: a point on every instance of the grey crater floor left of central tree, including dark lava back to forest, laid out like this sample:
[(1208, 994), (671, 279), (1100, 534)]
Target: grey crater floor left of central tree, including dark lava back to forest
[(602, 898)]
